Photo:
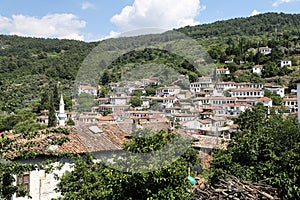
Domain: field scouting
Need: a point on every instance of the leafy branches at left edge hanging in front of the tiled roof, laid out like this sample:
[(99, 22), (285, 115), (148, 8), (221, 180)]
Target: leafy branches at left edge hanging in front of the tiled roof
[(20, 146)]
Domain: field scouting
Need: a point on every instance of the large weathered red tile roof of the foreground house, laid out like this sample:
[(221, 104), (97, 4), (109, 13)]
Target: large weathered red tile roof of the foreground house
[(81, 139)]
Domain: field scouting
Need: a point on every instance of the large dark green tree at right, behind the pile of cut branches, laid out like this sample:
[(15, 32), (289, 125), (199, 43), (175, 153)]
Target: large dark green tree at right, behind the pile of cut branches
[(265, 147)]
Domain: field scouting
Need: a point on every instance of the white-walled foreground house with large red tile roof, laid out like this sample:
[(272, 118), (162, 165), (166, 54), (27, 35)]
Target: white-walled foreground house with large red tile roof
[(95, 139)]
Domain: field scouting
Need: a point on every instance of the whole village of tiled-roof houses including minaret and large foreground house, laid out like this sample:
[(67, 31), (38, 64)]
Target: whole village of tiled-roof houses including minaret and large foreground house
[(206, 111)]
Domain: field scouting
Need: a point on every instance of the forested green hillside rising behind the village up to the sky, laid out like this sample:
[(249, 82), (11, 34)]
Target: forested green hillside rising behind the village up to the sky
[(29, 66)]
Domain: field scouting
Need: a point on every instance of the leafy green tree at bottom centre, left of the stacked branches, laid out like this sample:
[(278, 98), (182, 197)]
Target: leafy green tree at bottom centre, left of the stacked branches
[(94, 180)]
